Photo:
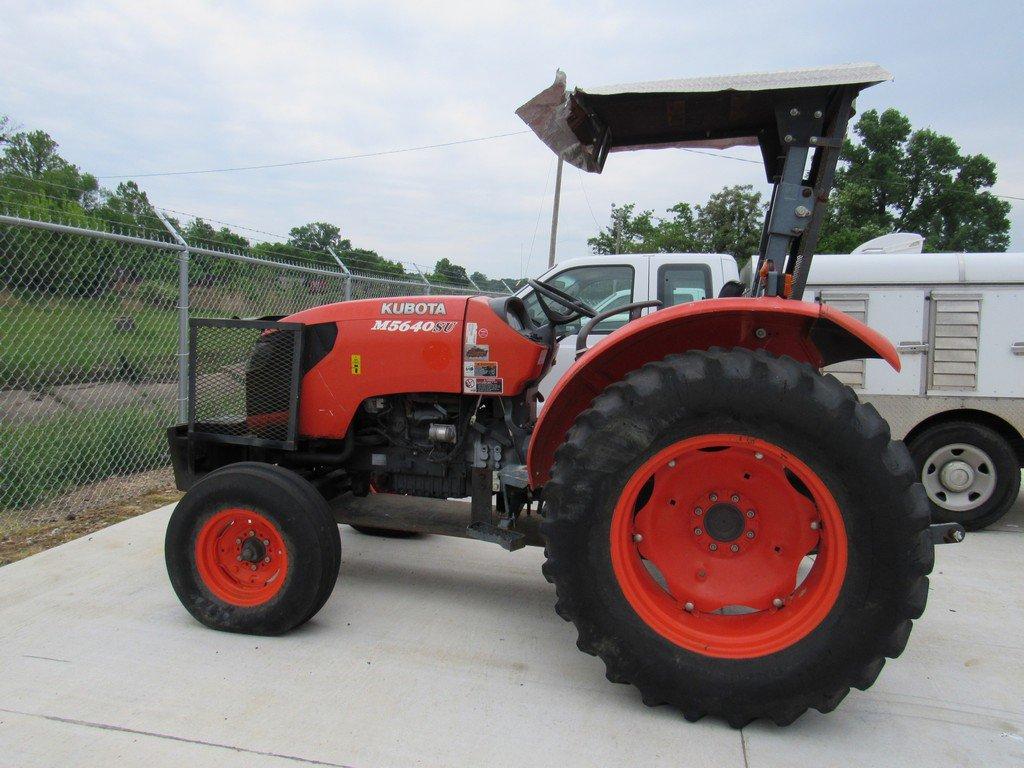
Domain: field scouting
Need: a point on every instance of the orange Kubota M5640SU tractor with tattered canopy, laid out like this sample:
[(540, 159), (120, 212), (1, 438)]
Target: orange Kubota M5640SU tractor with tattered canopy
[(730, 530)]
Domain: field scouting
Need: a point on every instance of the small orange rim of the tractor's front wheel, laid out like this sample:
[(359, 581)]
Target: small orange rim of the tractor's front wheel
[(241, 558)]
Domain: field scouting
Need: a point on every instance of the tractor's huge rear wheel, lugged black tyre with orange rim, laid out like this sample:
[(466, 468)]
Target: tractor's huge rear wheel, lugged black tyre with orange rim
[(736, 535)]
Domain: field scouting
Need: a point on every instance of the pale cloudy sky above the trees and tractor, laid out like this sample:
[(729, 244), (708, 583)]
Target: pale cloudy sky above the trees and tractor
[(133, 89)]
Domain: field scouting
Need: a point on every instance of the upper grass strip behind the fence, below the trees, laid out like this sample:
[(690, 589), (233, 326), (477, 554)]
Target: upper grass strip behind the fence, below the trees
[(52, 343)]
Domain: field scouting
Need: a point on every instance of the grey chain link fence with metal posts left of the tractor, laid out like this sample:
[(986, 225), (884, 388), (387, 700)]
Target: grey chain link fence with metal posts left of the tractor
[(92, 358)]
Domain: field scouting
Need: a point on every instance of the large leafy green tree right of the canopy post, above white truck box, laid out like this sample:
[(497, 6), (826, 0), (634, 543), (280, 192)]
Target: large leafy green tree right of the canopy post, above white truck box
[(897, 180)]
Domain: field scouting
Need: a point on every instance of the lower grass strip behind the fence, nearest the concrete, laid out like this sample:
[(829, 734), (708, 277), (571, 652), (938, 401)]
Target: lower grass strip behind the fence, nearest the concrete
[(41, 459)]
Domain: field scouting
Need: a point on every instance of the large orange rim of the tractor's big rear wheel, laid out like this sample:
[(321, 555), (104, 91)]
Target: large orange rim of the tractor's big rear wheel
[(729, 546)]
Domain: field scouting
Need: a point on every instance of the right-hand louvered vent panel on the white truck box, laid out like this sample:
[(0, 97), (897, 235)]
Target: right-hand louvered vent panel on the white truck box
[(956, 330)]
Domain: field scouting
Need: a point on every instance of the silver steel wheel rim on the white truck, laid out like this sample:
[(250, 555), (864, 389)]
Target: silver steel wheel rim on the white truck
[(959, 478)]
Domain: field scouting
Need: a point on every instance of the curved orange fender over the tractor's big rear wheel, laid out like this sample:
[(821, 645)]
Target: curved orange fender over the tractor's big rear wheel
[(808, 332)]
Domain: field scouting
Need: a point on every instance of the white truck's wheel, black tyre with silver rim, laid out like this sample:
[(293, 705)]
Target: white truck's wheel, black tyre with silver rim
[(971, 474)]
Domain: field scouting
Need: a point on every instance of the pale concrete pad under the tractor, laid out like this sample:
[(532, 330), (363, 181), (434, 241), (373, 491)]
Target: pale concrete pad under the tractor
[(441, 652)]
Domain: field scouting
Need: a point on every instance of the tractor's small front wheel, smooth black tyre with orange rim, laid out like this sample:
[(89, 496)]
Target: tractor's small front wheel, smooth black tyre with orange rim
[(253, 548)]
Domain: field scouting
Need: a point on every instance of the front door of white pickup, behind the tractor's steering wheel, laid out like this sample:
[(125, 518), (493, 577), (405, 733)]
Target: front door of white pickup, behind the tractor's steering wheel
[(611, 282)]
